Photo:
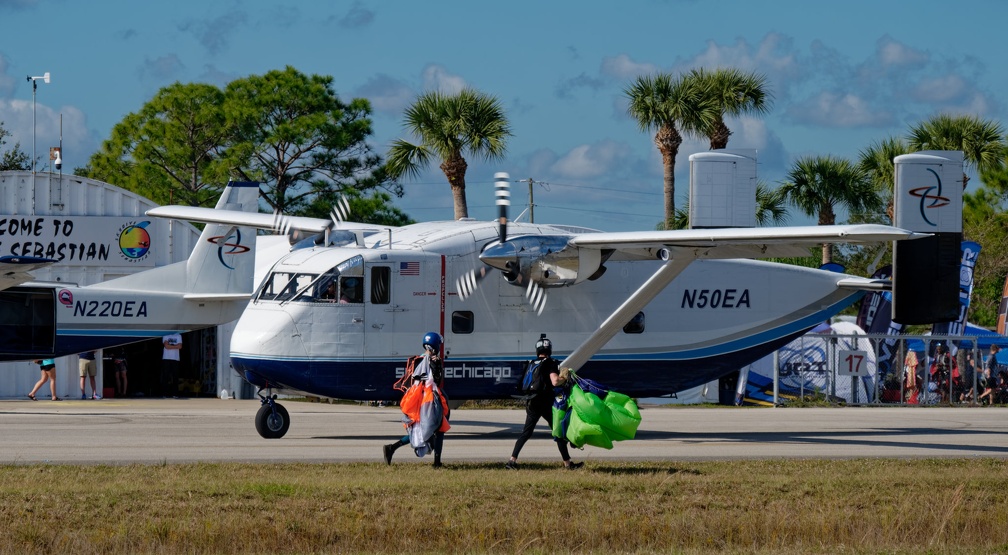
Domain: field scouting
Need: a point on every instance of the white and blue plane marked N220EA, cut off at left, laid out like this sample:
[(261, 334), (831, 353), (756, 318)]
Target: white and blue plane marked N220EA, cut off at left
[(47, 320)]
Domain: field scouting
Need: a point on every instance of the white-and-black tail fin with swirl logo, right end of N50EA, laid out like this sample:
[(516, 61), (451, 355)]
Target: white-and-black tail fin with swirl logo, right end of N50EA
[(929, 199)]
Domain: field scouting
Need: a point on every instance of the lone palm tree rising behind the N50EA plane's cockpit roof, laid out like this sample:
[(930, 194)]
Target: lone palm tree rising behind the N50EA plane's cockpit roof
[(448, 127)]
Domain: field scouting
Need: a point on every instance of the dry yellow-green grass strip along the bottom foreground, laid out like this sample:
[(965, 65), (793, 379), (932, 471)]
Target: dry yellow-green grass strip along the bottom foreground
[(866, 506)]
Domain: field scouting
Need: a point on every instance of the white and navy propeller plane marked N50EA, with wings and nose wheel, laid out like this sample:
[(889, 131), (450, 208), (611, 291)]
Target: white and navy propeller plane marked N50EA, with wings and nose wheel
[(648, 314)]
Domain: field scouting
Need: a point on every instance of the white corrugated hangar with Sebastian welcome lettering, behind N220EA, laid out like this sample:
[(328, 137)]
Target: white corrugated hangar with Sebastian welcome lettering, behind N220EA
[(78, 221)]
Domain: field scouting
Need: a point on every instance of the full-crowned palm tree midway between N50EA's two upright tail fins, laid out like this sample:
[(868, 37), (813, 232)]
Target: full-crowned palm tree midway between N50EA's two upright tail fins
[(818, 185)]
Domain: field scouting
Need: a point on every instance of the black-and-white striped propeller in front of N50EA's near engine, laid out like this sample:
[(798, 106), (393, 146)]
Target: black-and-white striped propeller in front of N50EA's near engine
[(467, 285)]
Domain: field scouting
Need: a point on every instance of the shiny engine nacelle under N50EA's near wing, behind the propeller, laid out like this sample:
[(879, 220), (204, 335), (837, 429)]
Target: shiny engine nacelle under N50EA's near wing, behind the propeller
[(547, 260)]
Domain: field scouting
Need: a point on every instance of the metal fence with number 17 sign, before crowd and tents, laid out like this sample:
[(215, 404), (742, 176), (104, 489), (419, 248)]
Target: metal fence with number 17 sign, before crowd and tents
[(880, 369)]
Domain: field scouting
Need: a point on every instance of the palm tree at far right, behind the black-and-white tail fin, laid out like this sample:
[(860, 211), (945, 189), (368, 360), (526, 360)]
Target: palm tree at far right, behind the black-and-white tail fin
[(982, 142)]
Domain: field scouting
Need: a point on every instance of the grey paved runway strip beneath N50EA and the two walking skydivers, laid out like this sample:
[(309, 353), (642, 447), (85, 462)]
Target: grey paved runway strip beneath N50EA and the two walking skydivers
[(187, 431)]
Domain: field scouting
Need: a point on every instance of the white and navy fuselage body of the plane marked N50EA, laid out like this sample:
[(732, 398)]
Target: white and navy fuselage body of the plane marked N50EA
[(715, 318)]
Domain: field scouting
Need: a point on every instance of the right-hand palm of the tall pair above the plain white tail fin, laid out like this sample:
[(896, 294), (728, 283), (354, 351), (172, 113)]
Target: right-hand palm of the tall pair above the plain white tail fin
[(734, 93)]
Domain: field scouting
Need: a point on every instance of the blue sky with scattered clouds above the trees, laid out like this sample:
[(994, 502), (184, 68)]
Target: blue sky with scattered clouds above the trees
[(843, 76)]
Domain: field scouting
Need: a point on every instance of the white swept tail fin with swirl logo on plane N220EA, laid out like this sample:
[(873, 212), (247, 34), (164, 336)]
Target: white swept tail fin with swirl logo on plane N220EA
[(223, 261)]
